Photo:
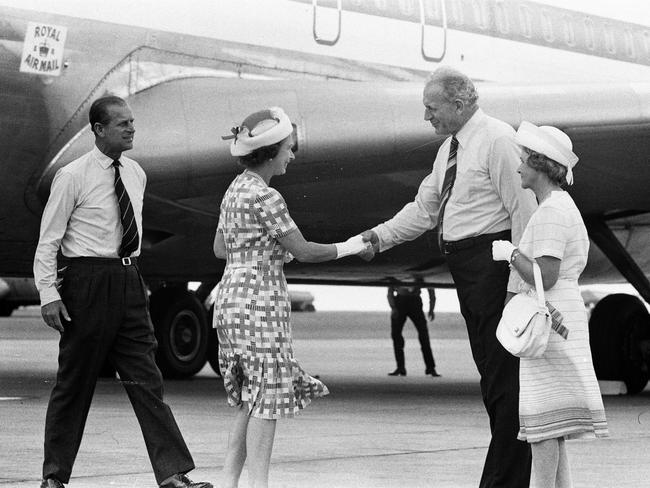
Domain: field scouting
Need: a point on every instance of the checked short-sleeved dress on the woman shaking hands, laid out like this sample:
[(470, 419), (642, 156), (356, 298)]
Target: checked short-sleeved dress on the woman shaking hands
[(252, 309)]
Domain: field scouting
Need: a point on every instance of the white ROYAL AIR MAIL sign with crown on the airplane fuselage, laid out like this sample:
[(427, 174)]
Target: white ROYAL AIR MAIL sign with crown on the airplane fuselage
[(43, 49)]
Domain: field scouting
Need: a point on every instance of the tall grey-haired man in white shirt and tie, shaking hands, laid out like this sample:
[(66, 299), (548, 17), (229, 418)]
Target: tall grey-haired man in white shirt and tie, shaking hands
[(474, 185)]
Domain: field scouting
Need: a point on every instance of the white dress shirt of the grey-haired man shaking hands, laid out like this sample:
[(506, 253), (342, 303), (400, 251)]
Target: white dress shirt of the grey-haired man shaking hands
[(486, 197)]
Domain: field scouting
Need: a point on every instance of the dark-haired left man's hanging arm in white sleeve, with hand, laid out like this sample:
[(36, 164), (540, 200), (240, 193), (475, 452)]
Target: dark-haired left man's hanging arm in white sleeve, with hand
[(53, 226)]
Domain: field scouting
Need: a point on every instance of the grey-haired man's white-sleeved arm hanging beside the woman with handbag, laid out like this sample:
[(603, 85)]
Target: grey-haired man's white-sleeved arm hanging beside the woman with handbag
[(505, 158)]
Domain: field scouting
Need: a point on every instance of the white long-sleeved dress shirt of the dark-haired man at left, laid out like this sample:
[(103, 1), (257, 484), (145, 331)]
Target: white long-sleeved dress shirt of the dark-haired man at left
[(82, 216)]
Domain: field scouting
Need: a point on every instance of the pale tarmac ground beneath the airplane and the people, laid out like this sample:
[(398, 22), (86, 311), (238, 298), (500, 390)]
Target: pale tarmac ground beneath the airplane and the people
[(371, 431)]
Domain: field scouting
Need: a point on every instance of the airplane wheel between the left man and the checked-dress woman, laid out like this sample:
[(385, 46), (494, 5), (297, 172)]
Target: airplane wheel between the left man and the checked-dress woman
[(181, 330)]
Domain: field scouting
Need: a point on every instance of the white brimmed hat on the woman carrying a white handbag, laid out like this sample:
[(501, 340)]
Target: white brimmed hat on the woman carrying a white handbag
[(549, 141)]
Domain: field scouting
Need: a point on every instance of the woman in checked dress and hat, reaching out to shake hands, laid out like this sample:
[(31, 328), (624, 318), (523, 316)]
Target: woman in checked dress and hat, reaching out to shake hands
[(256, 235)]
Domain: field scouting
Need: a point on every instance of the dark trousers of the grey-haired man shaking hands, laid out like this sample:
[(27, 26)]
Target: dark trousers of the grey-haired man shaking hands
[(481, 285)]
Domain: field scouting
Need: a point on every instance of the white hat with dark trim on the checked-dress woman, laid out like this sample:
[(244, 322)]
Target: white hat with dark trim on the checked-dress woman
[(259, 129)]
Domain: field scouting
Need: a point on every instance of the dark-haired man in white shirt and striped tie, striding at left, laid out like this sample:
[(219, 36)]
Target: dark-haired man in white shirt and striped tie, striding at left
[(94, 217)]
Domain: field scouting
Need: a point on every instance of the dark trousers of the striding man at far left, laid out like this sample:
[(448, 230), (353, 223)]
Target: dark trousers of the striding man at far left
[(110, 319)]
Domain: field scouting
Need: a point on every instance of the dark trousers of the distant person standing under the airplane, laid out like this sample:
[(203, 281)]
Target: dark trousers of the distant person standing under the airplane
[(410, 306)]
